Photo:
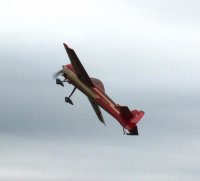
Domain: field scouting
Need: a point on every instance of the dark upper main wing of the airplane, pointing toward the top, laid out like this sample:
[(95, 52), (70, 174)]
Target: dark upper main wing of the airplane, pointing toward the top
[(78, 67)]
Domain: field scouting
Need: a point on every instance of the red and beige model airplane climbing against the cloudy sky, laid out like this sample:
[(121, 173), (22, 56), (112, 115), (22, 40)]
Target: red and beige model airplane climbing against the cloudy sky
[(93, 88)]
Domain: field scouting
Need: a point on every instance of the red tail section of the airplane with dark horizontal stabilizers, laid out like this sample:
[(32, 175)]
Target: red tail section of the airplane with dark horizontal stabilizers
[(131, 118)]
